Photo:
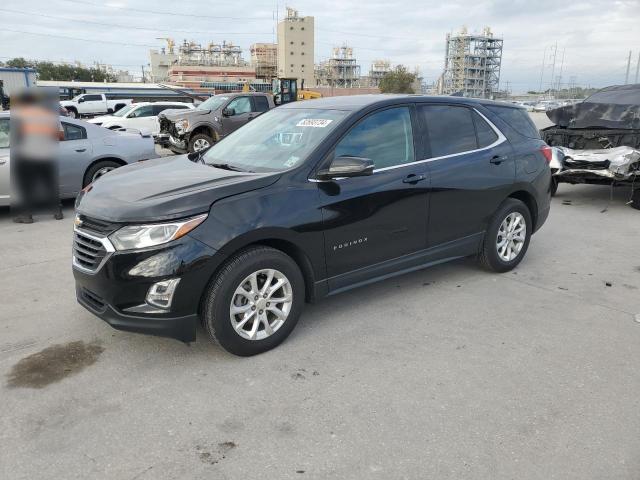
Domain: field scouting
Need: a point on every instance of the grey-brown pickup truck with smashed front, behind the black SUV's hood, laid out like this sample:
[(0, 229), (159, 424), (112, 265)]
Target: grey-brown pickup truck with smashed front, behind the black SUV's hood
[(215, 118)]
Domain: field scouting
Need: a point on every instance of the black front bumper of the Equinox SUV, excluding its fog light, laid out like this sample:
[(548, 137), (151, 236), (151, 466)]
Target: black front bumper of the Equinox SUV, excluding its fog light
[(116, 292)]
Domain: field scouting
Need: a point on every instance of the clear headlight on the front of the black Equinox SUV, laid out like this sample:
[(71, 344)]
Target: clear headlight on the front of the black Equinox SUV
[(143, 236)]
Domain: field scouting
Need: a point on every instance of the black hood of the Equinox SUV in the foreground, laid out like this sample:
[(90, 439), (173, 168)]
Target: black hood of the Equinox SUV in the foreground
[(164, 189)]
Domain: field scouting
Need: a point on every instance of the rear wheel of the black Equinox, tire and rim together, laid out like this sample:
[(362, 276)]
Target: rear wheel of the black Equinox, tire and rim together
[(496, 258)]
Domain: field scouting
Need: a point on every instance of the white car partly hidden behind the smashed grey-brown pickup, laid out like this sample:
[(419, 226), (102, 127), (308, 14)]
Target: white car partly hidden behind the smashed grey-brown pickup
[(141, 116)]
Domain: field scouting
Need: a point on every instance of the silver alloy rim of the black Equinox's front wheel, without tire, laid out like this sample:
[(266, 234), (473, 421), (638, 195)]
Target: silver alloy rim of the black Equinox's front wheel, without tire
[(261, 304)]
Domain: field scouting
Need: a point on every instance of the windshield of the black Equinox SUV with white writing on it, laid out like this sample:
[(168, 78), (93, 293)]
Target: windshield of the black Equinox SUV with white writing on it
[(277, 140)]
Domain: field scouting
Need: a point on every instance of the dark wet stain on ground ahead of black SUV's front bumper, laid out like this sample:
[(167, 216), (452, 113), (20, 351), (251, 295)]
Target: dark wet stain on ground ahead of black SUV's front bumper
[(53, 364)]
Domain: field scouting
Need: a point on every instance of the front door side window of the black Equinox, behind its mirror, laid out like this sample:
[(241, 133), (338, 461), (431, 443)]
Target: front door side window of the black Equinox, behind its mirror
[(384, 137)]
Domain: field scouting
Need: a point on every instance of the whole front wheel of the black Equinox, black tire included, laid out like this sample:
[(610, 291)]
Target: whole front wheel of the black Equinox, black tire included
[(222, 295)]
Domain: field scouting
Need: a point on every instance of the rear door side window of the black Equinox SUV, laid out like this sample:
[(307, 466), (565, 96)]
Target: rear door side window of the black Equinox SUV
[(450, 129)]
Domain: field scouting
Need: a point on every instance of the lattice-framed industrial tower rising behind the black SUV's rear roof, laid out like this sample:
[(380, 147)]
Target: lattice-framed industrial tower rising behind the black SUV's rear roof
[(472, 64)]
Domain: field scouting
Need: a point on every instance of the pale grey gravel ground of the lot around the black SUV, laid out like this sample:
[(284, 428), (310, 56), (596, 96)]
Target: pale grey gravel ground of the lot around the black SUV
[(446, 373)]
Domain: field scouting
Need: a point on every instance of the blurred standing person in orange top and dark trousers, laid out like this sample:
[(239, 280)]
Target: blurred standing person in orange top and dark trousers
[(35, 132)]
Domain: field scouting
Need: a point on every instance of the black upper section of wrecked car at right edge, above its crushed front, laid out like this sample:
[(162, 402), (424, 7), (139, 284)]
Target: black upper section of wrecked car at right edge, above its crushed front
[(616, 107)]
